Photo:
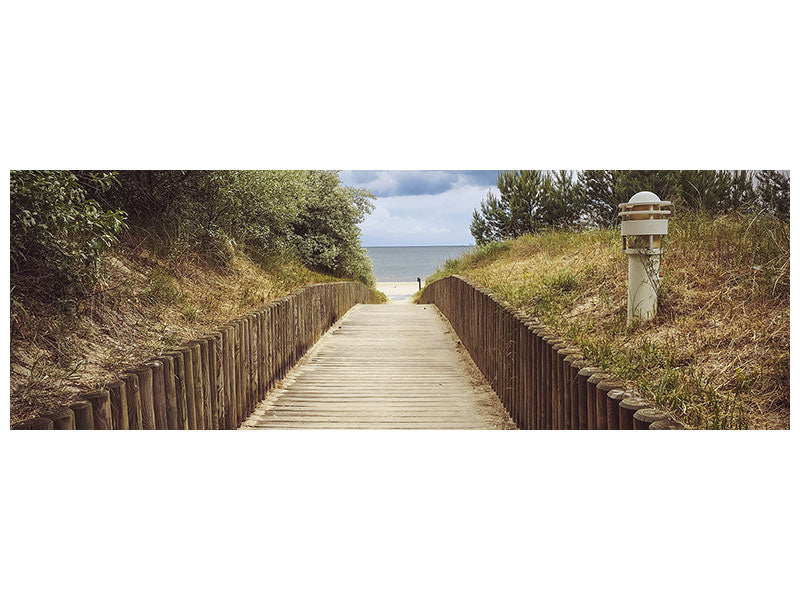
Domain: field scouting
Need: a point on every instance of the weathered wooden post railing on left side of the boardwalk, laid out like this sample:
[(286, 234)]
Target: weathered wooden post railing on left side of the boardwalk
[(215, 381)]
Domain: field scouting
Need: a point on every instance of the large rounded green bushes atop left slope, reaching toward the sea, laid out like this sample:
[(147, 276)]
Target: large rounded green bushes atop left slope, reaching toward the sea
[(308, 215)]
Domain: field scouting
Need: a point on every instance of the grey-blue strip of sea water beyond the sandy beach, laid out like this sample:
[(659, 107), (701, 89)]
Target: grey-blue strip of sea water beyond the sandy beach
[(406, 263)]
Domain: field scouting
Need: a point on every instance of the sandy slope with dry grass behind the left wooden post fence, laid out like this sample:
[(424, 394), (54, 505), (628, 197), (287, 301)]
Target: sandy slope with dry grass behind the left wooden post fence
[(144, 303)]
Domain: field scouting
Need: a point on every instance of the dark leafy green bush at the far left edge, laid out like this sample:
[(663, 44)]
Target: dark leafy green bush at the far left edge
[(59, 232)]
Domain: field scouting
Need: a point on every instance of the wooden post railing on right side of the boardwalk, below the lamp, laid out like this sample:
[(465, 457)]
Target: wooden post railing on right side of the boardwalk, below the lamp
[(543, 381)]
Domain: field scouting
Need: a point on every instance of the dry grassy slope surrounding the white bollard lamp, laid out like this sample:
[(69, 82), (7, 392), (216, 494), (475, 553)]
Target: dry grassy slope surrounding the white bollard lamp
[(717, 355)]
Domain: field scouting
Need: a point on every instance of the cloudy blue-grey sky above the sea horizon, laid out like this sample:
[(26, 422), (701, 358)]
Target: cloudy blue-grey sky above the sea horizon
[(421, 208)]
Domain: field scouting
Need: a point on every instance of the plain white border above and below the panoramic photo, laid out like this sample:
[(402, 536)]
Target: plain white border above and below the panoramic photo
[(366, 85)]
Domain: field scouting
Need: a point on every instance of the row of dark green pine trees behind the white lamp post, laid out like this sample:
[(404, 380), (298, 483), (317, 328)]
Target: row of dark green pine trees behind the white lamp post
[(532, 201)]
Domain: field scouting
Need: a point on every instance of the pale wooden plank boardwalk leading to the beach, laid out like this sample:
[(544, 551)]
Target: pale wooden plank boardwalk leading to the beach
[(384, 366)]
